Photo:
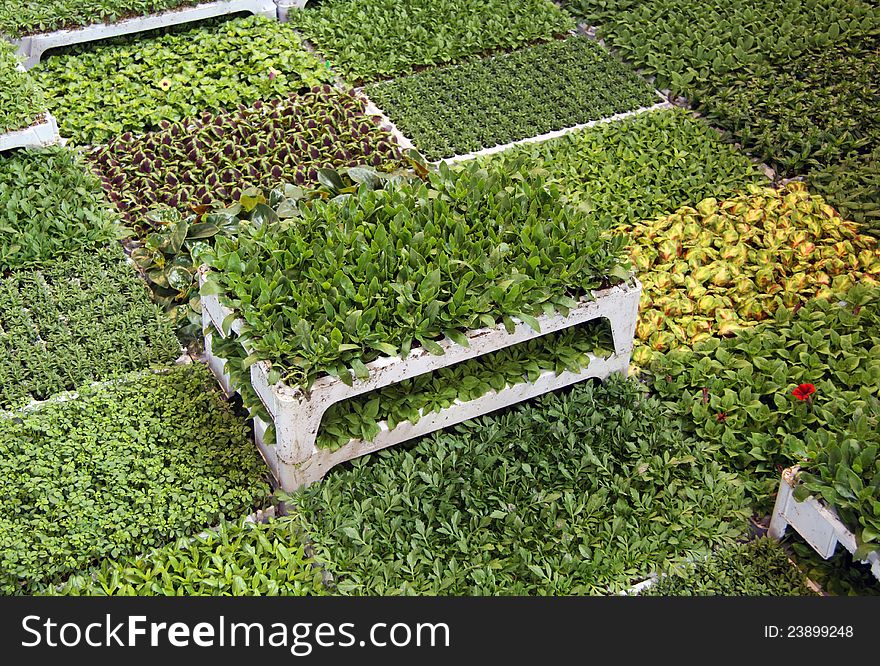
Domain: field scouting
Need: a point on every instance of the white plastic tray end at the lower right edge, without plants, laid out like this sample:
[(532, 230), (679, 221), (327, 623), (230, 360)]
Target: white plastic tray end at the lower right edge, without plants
[(817, 523)]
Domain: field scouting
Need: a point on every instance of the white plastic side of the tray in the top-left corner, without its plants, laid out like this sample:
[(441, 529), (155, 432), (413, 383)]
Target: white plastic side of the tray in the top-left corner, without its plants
[(32, 47)]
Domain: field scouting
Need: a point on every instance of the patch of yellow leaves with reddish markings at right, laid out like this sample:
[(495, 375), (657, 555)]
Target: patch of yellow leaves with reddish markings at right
[(725, 265)]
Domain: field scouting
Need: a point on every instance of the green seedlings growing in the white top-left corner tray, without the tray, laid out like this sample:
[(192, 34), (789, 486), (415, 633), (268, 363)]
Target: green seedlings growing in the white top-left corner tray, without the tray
[(23, 17)]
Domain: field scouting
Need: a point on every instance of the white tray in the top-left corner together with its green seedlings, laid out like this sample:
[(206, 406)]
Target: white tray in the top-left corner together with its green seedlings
[(75, 23)]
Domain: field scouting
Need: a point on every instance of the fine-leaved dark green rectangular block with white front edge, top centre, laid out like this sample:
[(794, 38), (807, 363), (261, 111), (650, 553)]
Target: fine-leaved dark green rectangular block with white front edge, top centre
[(464, 108)]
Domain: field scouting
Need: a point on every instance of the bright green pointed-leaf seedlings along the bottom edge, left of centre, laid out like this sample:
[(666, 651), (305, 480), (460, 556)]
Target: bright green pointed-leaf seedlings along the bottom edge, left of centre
[(235, 559)]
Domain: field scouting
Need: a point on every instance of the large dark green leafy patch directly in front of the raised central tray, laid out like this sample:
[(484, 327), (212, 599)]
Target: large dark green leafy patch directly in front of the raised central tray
[(517, 504)]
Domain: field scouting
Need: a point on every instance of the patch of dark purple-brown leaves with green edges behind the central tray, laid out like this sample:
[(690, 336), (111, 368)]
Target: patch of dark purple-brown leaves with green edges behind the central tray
[(214, 158)]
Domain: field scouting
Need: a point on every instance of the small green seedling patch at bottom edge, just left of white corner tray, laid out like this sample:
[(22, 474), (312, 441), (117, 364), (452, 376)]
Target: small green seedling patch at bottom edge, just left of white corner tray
[(759, 568)]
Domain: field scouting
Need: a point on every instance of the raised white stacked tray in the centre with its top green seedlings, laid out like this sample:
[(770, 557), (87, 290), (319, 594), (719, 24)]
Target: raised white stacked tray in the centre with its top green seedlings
[(388, 316)]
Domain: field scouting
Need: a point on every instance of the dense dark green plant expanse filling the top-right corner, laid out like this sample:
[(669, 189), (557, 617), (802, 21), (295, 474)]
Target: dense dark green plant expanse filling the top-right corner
[(797, 82)]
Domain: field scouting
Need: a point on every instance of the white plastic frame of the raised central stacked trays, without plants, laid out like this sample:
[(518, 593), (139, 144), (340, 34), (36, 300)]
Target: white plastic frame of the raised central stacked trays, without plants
[(296, 461)]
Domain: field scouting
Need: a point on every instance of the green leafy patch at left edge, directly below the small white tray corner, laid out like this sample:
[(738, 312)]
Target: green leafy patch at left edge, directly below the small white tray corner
[(51, 206)]
